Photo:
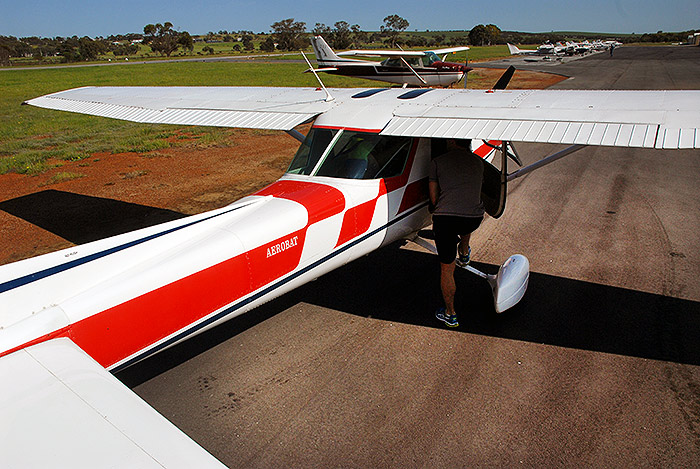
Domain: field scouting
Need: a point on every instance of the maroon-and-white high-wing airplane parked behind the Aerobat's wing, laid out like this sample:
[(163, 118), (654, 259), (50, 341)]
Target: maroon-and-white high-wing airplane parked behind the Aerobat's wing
[(416, 68)]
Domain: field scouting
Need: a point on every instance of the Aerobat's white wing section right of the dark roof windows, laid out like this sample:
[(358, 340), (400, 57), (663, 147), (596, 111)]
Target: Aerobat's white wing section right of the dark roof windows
[(648, 119)]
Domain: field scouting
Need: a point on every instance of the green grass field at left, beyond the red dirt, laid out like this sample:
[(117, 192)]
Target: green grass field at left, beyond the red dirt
[(32, 139)]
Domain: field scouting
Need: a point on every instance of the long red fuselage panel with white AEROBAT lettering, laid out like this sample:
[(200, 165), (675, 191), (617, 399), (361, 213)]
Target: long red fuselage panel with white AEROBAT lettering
[(125, 329)]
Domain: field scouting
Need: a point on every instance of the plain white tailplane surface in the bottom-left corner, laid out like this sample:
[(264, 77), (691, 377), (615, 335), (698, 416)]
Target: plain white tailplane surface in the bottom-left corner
[(55, 398)]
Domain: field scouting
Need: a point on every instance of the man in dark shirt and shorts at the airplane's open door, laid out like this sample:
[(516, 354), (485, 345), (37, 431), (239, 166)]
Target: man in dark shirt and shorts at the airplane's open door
[(455, 196)]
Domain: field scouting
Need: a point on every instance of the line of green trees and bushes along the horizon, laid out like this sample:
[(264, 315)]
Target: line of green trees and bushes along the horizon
[(289, 34)]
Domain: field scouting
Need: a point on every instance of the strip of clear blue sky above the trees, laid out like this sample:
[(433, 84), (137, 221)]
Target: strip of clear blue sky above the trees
[(45, 18)]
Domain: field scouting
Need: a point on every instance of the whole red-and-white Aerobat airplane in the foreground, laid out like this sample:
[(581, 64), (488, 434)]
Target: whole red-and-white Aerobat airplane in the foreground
[(357, 183)]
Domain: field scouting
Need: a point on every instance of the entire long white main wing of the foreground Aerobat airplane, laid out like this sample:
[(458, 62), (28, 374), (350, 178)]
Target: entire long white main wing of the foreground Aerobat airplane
[(648, 119)]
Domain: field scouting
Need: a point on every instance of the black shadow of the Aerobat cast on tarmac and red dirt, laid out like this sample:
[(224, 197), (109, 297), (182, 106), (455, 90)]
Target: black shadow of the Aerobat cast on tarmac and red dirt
[(401, 285)]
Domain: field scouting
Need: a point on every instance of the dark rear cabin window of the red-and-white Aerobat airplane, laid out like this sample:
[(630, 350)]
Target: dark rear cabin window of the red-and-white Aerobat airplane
[(351, 155)]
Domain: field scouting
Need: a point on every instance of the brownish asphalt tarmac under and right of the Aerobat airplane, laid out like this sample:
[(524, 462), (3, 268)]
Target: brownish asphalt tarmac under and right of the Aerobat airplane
[(598, 366)]
